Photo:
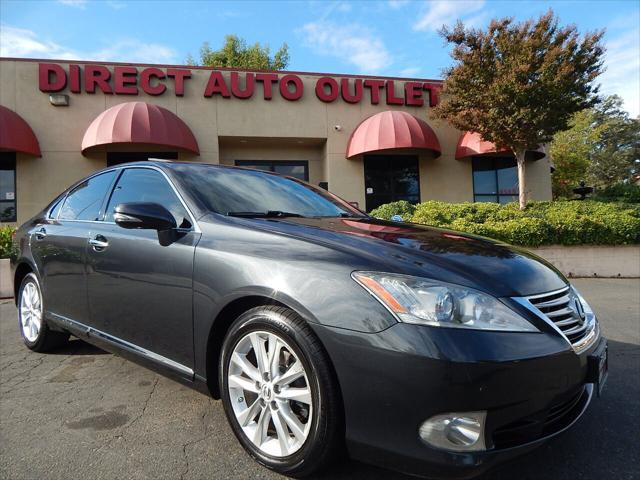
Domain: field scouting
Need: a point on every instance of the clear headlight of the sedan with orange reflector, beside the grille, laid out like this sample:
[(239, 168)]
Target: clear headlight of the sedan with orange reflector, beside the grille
[(427, 302)]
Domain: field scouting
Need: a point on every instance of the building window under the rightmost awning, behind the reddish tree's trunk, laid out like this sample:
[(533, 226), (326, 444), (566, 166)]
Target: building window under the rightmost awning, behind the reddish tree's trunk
[(495, 179)]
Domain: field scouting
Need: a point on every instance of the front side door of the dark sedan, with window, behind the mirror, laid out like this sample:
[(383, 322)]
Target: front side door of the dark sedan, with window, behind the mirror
[(140, 291)]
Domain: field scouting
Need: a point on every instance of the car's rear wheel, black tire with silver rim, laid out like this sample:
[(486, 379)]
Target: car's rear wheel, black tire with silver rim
[(35, 332)]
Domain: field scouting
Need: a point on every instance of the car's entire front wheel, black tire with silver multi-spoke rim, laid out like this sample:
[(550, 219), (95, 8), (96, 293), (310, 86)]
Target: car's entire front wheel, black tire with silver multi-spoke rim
[(313, 441)]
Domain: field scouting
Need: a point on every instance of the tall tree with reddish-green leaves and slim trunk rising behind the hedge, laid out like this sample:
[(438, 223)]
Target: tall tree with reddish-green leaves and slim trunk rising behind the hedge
[(517, 84)]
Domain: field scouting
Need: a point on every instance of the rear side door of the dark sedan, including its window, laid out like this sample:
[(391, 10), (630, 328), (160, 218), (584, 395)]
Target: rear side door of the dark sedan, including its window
[(59, 245)]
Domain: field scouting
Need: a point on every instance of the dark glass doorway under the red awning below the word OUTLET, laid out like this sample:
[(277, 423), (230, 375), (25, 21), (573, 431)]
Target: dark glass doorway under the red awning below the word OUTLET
[(389, 178)]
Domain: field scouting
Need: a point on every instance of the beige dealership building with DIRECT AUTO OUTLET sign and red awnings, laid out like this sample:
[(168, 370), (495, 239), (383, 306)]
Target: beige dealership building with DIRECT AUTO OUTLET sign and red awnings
[(370, 140)]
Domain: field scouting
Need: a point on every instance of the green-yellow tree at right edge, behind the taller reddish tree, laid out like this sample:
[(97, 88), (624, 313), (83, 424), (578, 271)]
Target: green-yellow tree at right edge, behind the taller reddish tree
[(601, 147)]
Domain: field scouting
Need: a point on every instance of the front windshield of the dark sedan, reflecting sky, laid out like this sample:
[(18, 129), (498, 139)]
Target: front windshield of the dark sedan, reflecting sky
[(251, 193)]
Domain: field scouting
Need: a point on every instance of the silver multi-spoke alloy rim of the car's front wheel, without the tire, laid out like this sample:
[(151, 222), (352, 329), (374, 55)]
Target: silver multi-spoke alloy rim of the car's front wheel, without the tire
[(270, 393)]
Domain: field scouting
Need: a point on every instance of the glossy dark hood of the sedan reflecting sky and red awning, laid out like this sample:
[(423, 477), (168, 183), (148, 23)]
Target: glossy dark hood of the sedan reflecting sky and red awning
[(445, 255)]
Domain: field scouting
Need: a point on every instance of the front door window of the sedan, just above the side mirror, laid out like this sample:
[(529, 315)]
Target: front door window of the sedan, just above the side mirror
[(145, 185)]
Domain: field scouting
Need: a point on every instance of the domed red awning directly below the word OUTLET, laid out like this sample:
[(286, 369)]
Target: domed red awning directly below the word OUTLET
[(392, 129)]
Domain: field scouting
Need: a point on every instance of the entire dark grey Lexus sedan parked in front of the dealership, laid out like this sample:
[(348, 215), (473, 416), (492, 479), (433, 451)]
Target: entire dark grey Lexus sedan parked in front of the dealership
[(323, 330)]
